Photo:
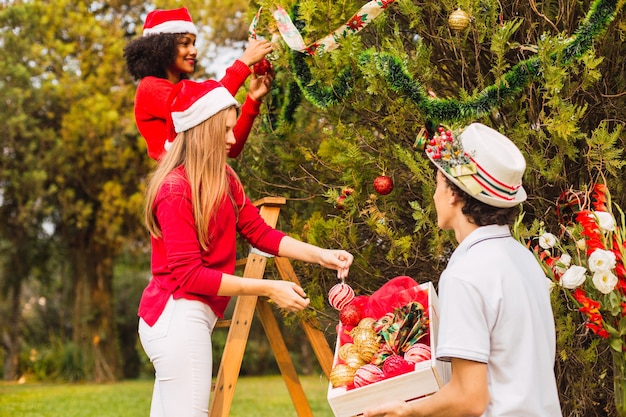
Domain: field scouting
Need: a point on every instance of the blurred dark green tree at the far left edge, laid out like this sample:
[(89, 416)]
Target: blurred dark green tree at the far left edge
[(27, 133)]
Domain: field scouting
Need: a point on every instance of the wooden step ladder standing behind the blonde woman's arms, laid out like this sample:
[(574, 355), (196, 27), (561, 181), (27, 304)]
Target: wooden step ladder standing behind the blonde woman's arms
[(239, 329)]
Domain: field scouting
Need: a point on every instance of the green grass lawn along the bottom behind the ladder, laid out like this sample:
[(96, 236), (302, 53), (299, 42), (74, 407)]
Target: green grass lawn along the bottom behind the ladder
[(254, 396)]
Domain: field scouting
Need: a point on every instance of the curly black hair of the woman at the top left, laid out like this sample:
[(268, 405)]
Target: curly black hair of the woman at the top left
[(151, 55)]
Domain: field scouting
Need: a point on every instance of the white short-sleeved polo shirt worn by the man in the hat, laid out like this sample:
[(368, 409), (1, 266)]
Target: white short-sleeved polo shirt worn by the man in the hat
[(494, 308)]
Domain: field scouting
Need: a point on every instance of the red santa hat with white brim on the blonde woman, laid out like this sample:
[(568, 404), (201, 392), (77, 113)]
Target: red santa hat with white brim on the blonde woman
[(191, 103)]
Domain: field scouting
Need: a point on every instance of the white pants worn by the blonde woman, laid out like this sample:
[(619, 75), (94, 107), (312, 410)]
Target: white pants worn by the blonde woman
[(179, 347)]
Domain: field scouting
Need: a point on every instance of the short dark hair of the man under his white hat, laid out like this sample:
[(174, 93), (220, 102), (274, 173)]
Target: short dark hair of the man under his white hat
[(482, 214)]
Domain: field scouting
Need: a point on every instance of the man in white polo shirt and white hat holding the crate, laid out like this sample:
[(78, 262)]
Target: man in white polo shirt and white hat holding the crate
[(496, 322)]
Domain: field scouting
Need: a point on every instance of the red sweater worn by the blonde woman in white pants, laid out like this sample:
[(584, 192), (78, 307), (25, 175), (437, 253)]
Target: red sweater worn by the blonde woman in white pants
[(180, 267)]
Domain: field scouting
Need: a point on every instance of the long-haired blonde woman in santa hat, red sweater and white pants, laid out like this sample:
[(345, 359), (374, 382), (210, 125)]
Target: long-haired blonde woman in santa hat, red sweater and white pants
[(195, 206)]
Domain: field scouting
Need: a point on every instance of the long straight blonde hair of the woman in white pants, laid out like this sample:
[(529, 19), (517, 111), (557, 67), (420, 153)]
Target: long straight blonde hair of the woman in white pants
[(202, 152)]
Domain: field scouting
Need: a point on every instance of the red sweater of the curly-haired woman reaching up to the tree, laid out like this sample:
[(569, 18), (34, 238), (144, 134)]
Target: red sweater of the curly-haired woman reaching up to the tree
[(151, 110)]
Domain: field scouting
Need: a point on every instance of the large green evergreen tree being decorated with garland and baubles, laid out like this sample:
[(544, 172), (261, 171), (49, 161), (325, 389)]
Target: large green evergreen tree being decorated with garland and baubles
[(547, 75)]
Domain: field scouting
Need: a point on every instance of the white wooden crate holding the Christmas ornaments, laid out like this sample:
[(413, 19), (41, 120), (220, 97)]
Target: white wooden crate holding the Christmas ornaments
[(427, 378)]
